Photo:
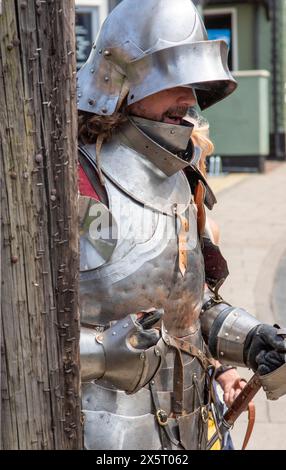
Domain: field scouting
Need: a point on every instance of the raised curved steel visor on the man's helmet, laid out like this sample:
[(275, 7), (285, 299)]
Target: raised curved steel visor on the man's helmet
[(201, 65)]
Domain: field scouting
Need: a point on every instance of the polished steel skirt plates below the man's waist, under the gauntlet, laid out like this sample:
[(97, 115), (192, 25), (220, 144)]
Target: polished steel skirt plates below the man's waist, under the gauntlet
[(115, 420)]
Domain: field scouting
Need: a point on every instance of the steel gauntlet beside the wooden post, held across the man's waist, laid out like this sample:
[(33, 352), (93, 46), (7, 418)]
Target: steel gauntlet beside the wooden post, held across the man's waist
[(115, 355)]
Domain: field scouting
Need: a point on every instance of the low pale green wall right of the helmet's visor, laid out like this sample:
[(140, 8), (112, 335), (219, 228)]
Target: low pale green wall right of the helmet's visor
[(239, 125)]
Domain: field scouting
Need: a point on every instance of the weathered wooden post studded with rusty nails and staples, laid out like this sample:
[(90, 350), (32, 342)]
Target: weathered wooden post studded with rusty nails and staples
[(39, 245)]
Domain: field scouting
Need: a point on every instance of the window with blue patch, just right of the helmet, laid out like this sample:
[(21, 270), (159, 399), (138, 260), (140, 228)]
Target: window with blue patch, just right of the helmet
[(221, 23)]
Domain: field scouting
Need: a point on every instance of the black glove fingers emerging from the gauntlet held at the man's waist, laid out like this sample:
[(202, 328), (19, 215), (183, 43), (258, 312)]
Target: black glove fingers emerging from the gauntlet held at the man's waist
[(146, 336)]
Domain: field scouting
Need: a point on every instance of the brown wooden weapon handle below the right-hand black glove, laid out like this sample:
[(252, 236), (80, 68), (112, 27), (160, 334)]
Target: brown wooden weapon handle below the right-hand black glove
[(244, 398)]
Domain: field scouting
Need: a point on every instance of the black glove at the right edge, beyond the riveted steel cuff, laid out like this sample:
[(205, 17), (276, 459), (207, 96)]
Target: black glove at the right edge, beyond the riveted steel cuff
[(264, 349)]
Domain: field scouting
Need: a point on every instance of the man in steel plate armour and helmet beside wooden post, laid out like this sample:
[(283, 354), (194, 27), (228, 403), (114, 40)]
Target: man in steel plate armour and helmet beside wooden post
[(152, 319)]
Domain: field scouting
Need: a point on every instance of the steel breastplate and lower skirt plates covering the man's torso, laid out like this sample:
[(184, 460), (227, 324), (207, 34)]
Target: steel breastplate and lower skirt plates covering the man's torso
[(149, 210)]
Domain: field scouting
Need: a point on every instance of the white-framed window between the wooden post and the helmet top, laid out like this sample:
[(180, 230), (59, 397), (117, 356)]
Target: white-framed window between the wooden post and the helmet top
[(89, 16)]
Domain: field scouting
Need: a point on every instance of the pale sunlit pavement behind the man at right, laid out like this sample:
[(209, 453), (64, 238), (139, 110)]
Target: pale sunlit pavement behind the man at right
[(251, 213)]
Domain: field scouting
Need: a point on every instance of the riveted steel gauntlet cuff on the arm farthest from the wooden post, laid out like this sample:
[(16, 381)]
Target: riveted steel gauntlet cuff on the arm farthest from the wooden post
[(226, 329)]
